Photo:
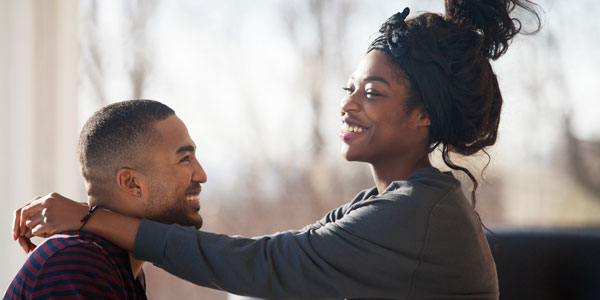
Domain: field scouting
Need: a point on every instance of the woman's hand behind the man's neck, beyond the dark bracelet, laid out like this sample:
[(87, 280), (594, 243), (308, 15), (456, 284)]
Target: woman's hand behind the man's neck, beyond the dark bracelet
[(45, 216)]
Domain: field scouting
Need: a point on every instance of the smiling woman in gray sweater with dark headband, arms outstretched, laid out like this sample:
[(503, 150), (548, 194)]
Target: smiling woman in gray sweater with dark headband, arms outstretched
[(425, 83)]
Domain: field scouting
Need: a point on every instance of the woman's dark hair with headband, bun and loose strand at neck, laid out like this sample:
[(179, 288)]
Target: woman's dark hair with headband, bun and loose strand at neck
[(446, 59)]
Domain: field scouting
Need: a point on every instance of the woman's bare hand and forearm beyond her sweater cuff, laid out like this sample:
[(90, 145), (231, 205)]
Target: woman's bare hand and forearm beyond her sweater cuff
[(54, 213)]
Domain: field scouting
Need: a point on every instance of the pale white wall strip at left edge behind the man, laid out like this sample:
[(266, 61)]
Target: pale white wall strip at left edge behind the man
[(38, 111)]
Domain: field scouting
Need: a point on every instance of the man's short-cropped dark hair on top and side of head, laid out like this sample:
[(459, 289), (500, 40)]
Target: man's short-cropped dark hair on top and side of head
[(117, 136)]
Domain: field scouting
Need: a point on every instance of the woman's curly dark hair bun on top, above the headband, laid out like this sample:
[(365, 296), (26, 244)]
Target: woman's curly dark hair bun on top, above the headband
[(491, 19)]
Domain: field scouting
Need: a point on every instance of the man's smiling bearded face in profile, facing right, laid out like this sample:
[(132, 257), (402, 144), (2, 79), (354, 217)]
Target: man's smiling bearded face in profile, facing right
[(173, 188)]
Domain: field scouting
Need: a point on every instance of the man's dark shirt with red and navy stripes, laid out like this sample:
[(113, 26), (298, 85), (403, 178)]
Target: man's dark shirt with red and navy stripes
[(77, 265)]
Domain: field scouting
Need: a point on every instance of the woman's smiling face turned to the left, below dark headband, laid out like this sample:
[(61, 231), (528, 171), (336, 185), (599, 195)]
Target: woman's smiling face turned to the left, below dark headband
[(376, 124)]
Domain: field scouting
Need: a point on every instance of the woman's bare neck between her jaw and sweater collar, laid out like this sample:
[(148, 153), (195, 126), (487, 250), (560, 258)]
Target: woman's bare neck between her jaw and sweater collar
[(390, 170)]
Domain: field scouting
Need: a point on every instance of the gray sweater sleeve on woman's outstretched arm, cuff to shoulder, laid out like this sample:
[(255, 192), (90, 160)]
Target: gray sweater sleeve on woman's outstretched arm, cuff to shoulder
[(370, 251)]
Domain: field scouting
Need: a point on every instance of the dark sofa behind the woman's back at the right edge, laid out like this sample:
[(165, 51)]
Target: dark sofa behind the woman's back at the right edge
[(547, 264)]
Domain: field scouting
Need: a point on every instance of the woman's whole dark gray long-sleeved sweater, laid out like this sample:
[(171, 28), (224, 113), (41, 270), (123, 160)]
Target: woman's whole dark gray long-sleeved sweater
[(420, 239)]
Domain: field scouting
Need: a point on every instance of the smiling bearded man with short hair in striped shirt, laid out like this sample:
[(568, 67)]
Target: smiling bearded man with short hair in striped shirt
[(137, 159)]
